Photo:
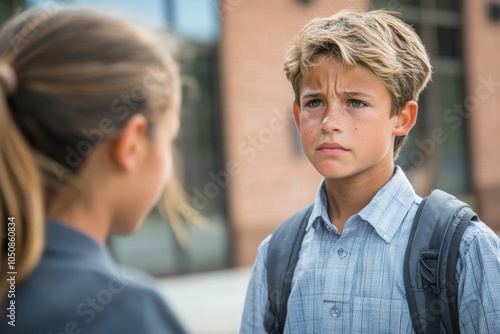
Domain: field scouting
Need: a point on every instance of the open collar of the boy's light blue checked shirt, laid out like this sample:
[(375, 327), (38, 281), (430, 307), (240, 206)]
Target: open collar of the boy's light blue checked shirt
[(385, 212)]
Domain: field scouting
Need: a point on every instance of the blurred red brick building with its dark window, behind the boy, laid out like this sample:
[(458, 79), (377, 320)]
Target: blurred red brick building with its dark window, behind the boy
[(271, 179)]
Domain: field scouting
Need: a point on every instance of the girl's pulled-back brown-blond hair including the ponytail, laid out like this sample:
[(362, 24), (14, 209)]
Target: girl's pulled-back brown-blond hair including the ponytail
[(72, 69)]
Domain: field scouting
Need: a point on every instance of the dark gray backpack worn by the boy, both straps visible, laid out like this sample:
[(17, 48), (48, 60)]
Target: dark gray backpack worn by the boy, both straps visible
[(430, 262)]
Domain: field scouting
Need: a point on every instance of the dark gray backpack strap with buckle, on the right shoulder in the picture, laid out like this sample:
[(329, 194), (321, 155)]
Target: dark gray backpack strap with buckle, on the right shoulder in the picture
[(430, 262)]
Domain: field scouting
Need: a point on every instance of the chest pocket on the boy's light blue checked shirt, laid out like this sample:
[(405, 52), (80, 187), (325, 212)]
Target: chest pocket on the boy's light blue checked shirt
[(376, 315)]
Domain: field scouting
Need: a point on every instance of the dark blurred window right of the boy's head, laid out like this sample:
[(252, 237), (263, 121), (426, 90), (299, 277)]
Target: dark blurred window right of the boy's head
[(436, 154)]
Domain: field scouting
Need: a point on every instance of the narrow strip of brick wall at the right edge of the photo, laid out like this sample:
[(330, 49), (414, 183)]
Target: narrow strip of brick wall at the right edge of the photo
[(482, 48)]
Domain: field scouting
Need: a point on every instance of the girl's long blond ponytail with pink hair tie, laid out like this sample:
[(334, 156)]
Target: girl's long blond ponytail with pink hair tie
[(21, 196)]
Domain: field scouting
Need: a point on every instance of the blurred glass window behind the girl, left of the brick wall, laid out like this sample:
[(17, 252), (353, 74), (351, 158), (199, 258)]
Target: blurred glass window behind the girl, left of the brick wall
[(154, 247)]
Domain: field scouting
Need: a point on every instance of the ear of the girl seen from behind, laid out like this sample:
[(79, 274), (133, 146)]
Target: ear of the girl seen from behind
[(129, 148)]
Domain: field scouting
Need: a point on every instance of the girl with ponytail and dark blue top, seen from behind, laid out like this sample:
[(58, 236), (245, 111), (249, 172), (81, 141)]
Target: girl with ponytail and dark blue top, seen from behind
[(89, 107)]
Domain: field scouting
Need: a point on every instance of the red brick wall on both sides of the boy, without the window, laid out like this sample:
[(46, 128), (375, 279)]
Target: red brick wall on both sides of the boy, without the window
[(270, 180)]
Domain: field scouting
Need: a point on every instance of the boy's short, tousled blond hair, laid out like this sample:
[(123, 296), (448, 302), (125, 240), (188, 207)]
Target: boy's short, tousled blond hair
[(376, 40)]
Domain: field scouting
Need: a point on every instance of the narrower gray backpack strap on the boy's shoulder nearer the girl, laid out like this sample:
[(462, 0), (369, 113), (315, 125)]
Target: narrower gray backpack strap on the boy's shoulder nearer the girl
[(282, 257)]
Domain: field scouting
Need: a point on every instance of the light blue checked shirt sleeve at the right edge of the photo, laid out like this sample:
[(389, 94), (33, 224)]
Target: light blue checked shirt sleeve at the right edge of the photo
[(478, 272)]
